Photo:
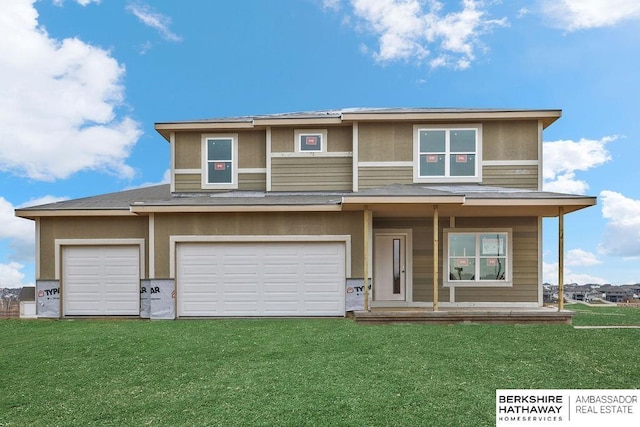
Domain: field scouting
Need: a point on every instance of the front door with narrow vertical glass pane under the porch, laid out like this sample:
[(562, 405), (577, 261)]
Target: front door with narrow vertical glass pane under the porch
[(389, 267)]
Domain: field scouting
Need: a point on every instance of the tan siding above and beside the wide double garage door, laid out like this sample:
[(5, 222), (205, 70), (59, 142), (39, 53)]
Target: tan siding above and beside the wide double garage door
[(276, 223)]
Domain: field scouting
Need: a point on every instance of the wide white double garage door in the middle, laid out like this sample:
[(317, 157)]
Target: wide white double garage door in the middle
[(261, 279)]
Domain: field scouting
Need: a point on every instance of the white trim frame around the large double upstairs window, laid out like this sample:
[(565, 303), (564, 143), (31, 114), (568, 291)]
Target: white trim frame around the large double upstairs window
[(446, 179)]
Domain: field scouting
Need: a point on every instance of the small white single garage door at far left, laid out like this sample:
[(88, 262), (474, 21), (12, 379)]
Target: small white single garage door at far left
[(101, 280)]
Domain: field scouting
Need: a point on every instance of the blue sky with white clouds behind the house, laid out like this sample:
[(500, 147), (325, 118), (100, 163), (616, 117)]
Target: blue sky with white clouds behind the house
[(82, 83)]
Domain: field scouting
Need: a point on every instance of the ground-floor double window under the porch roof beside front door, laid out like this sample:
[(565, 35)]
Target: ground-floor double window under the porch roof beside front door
[(478, 257)]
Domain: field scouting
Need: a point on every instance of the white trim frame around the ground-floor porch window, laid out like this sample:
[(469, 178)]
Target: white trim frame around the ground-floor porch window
[(508, 282)]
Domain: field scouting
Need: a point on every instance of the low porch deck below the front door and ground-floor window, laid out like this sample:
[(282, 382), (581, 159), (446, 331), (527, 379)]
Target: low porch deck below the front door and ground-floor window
[(465, 315)]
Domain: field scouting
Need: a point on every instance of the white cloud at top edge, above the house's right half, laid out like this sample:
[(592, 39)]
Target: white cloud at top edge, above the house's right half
[(414, 30)]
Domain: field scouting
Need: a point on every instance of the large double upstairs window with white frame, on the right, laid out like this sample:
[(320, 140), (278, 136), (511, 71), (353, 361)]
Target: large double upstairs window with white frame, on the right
[(447, 153)]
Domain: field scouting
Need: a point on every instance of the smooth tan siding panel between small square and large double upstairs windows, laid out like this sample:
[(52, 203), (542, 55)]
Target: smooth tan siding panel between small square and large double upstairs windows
[(381, 142)]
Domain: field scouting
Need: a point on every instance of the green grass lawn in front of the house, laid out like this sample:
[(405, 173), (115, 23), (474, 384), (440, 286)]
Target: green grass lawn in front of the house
[(292, 372)]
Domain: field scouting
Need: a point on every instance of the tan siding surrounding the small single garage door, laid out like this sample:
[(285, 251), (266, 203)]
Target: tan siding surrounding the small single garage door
[(86, 228)]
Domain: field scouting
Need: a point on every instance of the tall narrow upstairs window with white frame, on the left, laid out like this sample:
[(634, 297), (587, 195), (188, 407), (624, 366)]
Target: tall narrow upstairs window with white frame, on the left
[(220, 167)]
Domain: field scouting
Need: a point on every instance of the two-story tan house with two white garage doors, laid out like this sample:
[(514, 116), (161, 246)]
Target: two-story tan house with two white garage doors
[(272, 215)]
